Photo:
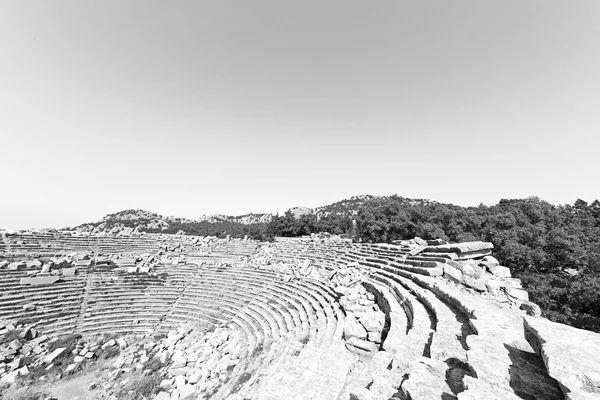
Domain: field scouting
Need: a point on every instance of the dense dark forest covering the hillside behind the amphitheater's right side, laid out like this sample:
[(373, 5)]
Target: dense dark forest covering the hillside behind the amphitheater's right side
[(554, 250)]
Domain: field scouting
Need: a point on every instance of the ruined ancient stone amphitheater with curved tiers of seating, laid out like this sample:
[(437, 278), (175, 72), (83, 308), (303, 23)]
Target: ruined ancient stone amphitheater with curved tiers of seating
[(309, 318)]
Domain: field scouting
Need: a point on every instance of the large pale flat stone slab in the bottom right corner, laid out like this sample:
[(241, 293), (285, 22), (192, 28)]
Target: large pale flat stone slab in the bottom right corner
[(571, 355)]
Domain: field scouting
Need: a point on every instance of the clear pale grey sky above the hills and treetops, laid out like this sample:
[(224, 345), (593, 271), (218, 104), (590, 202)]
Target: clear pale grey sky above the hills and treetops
[(199, 107)]
